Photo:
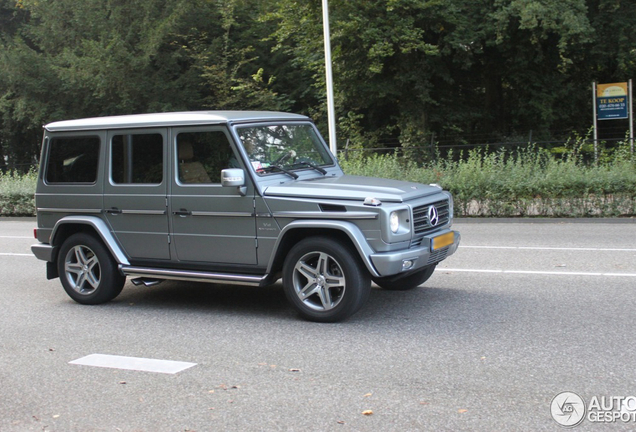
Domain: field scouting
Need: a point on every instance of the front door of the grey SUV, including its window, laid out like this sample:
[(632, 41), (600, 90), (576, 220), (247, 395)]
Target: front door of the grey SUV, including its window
[(211, 224)]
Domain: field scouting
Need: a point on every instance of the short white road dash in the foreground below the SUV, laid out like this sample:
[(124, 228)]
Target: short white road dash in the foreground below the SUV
[(133, 363)]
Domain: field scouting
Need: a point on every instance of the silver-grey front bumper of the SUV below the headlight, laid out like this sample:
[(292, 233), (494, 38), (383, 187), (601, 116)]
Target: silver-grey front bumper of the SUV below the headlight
[(392, 263)]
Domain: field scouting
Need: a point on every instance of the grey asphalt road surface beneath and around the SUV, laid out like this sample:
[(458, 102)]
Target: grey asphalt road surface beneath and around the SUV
[(521, 313)]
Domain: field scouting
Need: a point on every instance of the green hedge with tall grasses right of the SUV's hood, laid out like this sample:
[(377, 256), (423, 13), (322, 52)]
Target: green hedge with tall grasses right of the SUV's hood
[(530, 182)]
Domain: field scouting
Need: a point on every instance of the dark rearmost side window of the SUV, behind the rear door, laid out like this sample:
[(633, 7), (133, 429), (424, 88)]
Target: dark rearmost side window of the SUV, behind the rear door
[(73, 160)]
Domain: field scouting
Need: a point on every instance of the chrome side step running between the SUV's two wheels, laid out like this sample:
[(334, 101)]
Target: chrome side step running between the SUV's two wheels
[(193, 276)]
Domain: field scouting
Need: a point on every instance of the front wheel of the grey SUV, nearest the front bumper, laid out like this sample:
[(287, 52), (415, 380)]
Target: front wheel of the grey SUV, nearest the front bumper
[(325, 280)]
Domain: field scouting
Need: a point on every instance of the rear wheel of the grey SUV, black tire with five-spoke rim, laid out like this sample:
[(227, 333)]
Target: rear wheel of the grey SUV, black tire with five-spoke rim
[(88, 271)]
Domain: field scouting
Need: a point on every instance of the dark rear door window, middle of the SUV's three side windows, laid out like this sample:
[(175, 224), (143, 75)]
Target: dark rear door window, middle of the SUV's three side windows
[(137, 159)]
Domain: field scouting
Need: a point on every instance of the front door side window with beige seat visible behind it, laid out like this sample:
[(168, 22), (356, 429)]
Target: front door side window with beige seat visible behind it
[(202, 155)]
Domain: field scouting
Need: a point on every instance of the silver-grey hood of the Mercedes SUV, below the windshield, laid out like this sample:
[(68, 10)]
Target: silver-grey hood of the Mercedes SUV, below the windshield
[(352, 188)]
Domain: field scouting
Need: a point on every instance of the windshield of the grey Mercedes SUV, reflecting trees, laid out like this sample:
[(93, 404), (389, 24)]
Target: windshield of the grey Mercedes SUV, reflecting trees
[(287, 146)]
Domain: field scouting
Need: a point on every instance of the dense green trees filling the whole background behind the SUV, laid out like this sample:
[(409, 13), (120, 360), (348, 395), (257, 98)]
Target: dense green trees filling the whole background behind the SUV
[(403, 69)]
